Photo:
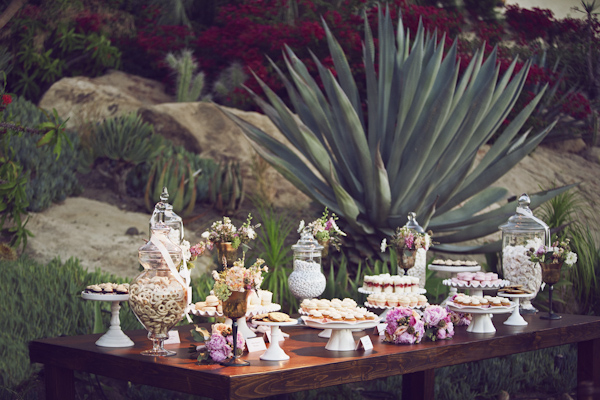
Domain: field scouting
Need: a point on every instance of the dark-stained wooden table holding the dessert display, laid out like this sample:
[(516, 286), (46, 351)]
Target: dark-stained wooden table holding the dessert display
[(310, 365)]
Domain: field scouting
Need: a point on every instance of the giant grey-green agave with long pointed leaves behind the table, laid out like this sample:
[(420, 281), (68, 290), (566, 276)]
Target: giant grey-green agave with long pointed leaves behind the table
[(414, 148)]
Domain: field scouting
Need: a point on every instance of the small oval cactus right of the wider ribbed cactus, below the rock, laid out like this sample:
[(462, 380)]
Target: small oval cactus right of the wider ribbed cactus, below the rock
[(227, 187)]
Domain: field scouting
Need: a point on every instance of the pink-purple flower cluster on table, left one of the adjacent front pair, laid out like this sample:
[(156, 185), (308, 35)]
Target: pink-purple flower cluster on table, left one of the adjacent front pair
[(404, 325)]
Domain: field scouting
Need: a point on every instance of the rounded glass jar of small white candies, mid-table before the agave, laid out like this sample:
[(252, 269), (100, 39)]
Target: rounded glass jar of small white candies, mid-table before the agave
[(307, 280)]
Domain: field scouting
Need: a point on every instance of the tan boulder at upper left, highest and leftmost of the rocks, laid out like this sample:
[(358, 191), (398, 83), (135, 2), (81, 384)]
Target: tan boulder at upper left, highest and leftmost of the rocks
[(82, 99)]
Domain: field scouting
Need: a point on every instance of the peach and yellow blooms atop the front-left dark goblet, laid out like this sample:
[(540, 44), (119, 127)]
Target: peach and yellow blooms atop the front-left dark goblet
[(238, 278)]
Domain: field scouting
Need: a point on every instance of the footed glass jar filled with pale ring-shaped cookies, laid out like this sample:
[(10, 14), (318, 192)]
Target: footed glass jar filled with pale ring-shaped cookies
[(158, 295)]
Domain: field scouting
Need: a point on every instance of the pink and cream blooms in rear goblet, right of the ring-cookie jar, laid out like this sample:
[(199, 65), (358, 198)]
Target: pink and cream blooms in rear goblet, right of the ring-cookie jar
[(222, 232)]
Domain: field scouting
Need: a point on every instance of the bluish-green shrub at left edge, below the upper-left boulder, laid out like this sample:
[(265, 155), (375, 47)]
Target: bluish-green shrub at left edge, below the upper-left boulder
[(51, 179)]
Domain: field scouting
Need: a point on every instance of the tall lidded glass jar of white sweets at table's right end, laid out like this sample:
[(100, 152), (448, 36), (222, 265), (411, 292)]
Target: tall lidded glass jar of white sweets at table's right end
[(522, 232)]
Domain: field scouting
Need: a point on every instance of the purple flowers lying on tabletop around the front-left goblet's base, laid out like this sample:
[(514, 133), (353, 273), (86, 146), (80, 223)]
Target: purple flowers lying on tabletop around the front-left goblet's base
[(217, 345)]
